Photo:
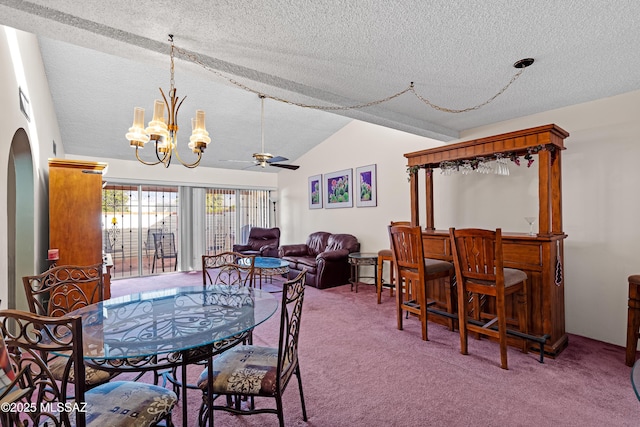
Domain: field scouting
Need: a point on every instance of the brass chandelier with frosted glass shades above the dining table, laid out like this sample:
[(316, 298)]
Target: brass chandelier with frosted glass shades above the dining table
[(164, 133)]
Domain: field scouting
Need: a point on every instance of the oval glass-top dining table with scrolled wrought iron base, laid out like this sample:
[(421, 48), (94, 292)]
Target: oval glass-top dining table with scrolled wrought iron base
[(171, 328)]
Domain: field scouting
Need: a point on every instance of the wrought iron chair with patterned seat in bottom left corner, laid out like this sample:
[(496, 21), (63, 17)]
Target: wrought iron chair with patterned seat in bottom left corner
[(30, 338)]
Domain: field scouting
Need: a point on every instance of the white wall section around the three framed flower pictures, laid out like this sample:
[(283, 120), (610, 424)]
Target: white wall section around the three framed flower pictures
[(357, 144)]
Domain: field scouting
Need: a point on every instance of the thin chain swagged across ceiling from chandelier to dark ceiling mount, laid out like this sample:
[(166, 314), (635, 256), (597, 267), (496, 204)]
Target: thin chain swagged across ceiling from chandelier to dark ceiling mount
[(194, 58)]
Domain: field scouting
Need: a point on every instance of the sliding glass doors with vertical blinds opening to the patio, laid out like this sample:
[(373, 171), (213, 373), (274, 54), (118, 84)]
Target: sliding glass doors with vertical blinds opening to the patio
[(140, 225)]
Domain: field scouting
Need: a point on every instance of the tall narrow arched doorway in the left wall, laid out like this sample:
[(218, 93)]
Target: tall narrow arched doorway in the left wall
[(20, 218)]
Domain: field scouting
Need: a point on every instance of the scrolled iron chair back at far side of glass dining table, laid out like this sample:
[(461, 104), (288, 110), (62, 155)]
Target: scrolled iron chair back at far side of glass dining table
[(228, 268)]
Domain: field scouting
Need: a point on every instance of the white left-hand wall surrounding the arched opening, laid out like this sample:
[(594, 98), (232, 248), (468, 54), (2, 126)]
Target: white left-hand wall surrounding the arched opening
[(23, 68)]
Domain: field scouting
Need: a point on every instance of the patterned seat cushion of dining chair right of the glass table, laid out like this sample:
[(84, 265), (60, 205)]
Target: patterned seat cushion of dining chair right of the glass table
[(245, 369)]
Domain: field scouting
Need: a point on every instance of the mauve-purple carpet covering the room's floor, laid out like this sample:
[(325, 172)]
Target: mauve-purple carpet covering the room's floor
[(359, 370)]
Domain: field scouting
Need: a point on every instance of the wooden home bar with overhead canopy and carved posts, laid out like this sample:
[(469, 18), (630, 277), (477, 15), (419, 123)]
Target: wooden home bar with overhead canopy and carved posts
[(540, 256)]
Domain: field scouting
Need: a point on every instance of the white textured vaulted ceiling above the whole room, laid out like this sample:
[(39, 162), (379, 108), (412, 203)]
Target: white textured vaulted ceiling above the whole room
[(104, 58)]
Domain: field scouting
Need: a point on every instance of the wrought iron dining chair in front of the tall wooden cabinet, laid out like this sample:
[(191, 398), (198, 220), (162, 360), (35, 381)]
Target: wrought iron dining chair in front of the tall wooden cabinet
[(57, 292)]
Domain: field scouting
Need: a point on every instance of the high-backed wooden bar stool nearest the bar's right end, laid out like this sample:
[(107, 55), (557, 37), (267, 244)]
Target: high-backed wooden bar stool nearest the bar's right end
[(477, 255)]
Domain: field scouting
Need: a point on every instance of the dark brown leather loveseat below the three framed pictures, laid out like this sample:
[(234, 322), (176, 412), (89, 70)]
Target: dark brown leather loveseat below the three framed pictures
[(325, 256)]
